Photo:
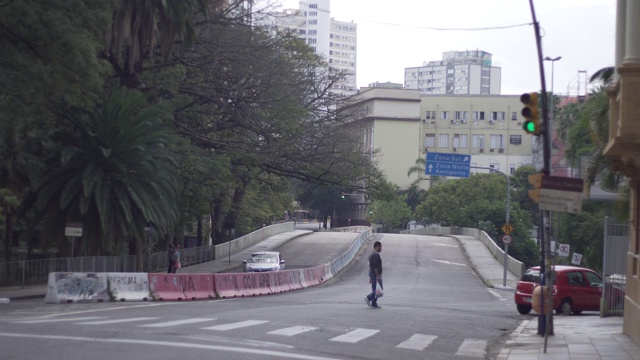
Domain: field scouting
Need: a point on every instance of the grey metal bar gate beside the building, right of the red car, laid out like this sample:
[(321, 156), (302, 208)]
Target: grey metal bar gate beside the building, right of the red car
[(614, 266)]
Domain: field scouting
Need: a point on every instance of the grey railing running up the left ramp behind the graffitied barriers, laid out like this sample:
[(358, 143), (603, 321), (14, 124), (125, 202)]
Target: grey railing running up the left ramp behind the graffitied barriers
[(35, 272)]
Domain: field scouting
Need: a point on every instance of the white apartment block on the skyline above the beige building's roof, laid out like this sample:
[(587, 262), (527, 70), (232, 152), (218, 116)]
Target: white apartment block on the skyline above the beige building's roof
[(470, 72)]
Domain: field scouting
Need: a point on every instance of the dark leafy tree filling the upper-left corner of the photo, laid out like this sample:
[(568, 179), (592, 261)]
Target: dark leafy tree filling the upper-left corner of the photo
[(48, 62)]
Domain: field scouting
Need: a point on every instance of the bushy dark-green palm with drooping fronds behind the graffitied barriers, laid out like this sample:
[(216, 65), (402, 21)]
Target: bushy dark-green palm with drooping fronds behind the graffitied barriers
[(114, 173)]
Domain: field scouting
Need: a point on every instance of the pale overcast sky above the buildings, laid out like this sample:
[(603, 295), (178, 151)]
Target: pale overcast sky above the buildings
[(392, 36)]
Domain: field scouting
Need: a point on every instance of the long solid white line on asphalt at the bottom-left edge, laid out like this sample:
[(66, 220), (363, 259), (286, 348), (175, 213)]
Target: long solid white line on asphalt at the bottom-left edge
[(244, 350)]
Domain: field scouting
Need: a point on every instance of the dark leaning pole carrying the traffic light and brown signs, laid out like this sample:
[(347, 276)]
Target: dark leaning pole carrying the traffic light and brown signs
[(545, 326)]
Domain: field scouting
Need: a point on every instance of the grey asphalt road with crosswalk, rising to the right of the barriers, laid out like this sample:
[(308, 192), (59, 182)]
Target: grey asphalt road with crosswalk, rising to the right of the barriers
[(435, 307)]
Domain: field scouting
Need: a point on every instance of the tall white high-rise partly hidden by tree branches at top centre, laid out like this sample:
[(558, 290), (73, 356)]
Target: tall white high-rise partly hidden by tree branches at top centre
[(335, 40)]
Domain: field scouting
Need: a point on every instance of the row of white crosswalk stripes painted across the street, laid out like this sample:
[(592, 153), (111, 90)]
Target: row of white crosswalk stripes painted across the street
[(469, 348)]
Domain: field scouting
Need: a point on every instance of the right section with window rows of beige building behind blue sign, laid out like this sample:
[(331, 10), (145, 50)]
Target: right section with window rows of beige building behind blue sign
[(489, 128)]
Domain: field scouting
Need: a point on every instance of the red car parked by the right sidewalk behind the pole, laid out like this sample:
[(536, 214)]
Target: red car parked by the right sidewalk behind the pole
[(575, 289)]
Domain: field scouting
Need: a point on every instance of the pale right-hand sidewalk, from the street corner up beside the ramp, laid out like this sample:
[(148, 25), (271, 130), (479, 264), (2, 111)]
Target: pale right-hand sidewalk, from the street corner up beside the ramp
[(577, 337)]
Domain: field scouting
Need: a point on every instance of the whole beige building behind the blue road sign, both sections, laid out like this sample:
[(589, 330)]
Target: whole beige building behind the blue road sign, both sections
[(402, 126)]
